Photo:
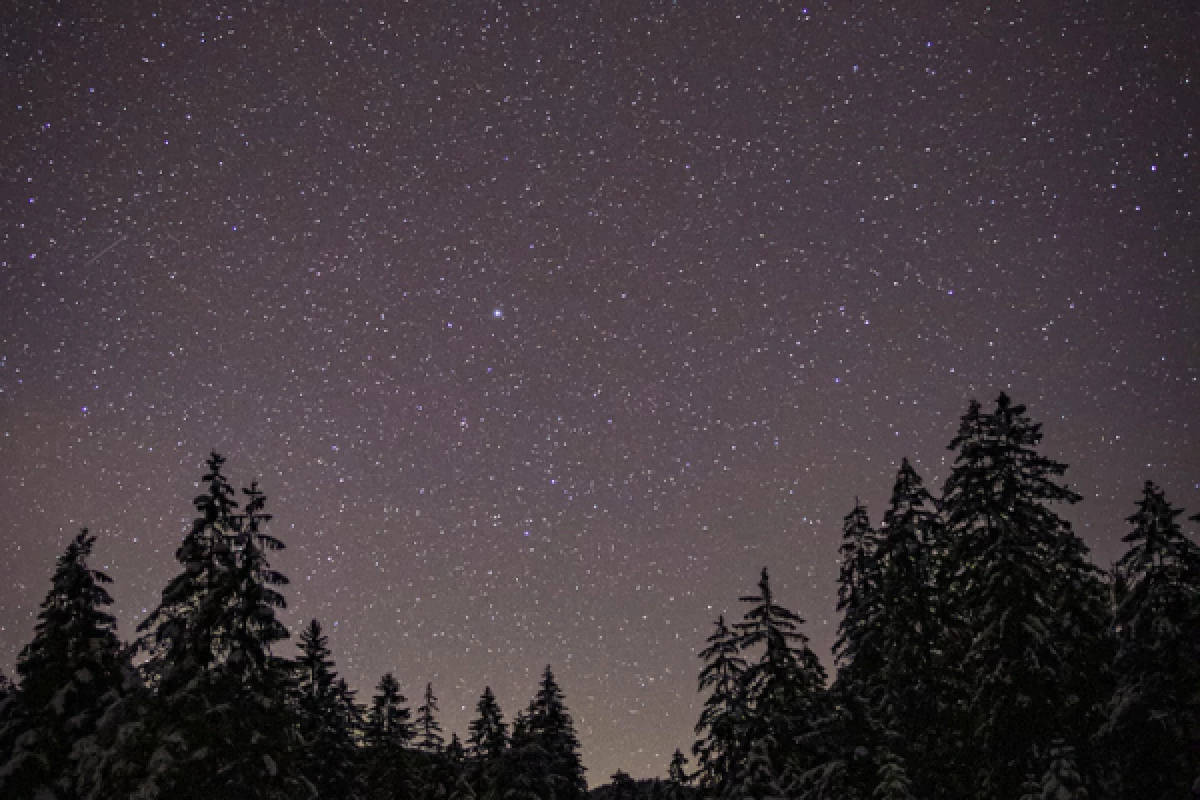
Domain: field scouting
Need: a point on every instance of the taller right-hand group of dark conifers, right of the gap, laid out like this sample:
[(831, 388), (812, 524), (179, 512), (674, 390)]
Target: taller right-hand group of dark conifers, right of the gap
[(981, 655)]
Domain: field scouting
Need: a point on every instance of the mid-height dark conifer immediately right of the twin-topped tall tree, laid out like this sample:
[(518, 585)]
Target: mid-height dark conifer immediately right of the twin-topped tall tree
[(328, 720)]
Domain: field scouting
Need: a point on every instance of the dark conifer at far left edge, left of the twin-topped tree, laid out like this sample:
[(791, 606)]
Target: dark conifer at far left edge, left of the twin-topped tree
[(70, 673)]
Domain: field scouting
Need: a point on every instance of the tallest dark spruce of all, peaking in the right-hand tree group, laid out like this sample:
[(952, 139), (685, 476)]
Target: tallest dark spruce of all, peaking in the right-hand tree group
[(1007, 579)]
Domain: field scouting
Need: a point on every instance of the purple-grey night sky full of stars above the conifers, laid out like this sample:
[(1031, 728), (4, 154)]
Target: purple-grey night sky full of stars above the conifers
[(545, 326)]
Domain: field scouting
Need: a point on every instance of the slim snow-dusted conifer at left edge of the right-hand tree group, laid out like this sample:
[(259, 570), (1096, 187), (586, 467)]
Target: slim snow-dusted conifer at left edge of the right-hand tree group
[(725, 713)]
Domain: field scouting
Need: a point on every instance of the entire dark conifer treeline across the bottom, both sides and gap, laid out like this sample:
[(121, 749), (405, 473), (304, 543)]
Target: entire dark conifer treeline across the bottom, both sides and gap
[(980, 657)]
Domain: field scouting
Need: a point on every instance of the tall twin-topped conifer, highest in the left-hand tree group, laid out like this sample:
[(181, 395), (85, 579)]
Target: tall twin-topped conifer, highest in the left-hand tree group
[(221, 723)]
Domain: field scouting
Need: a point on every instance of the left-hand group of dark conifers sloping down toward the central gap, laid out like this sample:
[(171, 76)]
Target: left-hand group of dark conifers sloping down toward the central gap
[(200, 706)]
